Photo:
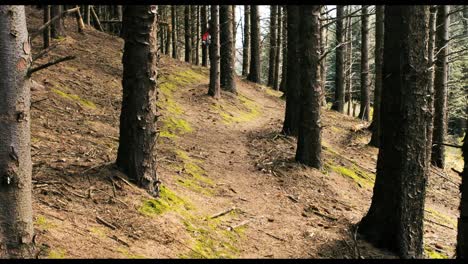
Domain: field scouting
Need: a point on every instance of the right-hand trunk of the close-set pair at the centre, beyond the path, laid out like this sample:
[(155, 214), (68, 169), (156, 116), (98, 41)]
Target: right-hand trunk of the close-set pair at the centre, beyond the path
[(227, 54)]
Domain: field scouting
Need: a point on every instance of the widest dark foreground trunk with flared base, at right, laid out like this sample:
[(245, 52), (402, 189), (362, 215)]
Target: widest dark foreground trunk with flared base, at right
[(395, 218)]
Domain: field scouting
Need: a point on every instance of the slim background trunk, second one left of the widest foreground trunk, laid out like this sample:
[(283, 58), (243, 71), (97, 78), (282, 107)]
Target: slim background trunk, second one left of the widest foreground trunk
[(365, 101)]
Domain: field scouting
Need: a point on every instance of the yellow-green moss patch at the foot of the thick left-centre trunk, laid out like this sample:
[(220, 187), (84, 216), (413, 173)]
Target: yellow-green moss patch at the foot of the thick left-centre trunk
[(167, 201)]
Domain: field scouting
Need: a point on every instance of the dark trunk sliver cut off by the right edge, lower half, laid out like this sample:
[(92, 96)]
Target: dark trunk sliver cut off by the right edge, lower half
[(462, 237)]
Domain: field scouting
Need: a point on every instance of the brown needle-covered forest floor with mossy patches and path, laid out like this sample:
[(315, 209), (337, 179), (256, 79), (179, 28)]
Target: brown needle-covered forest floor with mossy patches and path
[(230, 186)]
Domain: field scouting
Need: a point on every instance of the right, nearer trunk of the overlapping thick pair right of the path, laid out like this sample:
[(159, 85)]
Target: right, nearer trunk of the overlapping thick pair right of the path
[(309, 139)]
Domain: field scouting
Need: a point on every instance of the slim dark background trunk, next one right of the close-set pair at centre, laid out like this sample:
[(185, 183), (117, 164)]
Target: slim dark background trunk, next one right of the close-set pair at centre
[(254, 71)]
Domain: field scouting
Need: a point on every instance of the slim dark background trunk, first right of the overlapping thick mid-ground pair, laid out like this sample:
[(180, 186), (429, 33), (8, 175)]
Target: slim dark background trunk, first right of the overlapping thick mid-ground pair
[(338, 104)]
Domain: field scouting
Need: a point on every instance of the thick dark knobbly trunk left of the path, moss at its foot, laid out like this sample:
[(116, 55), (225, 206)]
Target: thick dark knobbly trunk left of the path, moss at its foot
[(136, 155)]
